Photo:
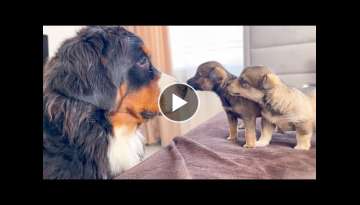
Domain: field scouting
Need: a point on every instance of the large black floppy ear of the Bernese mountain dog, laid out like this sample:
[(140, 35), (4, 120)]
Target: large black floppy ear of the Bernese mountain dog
[(80, 73)]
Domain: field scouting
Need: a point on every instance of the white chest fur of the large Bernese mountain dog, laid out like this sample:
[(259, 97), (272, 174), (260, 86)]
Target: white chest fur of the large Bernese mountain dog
[(125, 151)]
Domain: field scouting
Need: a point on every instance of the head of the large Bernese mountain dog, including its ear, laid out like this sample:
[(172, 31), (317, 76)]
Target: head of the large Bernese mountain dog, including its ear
[(106, 67)]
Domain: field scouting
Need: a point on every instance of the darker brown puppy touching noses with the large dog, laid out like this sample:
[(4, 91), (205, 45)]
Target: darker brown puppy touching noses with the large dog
[(212, 76)]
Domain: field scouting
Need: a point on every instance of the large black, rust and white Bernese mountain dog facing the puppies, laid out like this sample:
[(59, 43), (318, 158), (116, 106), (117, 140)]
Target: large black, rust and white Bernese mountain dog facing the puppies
[(97, 89)]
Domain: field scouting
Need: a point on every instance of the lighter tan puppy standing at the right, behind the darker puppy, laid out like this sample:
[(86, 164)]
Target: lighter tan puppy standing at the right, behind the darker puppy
[(288, 108)]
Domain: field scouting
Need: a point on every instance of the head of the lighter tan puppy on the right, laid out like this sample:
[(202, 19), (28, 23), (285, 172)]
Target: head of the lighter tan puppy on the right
[(253, 82)]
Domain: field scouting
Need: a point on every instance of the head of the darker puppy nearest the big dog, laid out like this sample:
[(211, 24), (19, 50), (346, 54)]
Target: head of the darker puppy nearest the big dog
[(208, 76)]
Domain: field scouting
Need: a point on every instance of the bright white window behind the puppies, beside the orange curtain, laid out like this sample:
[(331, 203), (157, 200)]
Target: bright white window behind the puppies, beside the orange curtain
[(193, 45)]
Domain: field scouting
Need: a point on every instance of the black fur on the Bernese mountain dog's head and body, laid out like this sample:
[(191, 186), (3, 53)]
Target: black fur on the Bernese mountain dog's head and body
[(80, 88)]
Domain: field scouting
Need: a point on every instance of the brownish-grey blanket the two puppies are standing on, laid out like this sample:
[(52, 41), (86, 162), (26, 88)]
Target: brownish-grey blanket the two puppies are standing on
[(204, 153)]
